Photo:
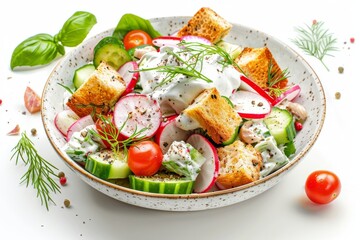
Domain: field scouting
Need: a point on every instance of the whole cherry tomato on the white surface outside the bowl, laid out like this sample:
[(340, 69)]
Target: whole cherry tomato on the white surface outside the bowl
[(322, 186)]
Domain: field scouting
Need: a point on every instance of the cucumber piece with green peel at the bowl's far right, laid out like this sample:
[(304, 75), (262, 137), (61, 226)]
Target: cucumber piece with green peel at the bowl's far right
[(280, 123)]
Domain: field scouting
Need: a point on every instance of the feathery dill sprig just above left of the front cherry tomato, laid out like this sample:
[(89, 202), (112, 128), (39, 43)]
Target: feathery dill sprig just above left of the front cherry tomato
[(109, 133)]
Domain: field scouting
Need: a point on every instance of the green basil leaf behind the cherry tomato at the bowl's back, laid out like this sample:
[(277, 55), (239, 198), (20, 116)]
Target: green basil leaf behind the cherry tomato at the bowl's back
[(130, 22)]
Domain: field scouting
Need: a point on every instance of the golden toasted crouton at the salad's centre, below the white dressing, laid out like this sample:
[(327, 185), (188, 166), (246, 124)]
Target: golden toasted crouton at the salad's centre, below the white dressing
[(215, 115)]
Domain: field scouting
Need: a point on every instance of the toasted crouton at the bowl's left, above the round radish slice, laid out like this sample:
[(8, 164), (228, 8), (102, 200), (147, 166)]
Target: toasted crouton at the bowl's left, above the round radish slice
[(99, 93)]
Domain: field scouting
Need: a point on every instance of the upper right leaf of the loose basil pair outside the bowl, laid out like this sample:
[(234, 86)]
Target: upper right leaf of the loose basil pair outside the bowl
[(76, 28)]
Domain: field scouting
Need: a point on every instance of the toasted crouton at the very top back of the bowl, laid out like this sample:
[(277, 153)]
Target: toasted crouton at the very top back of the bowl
[(207, 24)]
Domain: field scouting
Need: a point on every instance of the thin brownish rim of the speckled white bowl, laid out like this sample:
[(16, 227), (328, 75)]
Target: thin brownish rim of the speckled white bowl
[(79, 169)]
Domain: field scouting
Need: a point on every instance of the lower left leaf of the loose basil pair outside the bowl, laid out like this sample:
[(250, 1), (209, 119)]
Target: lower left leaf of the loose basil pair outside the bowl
[(36, 50)]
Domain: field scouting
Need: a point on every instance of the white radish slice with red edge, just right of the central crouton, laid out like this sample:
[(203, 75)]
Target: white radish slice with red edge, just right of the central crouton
[(250, 105)]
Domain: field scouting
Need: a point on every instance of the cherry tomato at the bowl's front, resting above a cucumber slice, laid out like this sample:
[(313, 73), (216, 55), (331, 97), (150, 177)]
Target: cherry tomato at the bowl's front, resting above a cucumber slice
[(145, 158)]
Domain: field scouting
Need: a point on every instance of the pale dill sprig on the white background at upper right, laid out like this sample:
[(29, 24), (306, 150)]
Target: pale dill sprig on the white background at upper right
[(316, 41)]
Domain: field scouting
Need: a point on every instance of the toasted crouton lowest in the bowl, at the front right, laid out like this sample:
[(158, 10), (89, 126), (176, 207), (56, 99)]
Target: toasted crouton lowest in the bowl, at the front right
[(239, 164)]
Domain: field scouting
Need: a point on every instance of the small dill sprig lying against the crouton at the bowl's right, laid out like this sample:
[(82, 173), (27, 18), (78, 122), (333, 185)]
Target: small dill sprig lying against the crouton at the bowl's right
[(274, 77)]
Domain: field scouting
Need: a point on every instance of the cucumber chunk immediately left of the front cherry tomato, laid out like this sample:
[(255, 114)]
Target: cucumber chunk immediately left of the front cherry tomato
[(106, 164)]
